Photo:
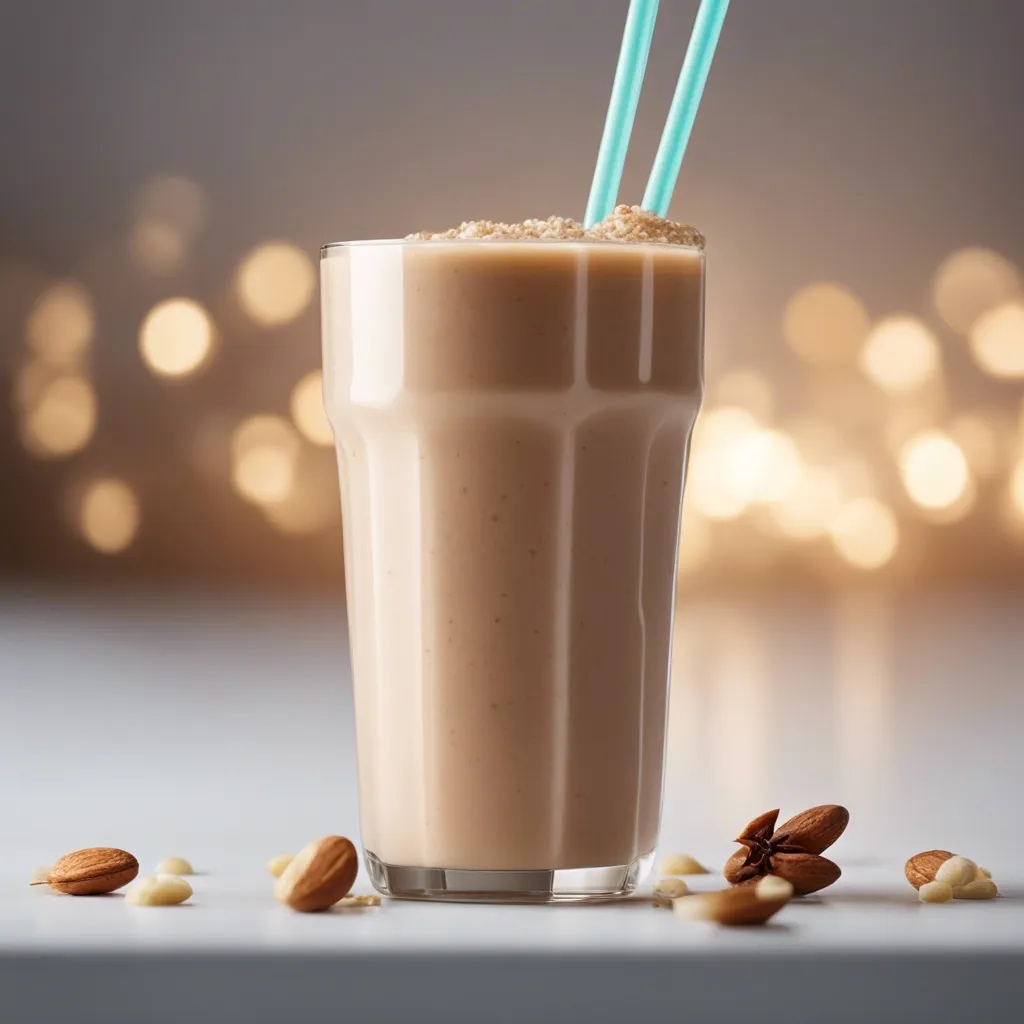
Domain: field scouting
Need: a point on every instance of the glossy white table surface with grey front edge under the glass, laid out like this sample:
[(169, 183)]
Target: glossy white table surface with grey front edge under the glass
[(221, 731)]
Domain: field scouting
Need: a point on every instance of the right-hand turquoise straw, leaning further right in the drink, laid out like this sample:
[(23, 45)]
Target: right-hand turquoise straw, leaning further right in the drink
[(685, 106)]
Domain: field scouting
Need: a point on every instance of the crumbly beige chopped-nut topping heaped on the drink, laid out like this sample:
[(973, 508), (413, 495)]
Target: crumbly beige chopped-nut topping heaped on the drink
[(625, 224)]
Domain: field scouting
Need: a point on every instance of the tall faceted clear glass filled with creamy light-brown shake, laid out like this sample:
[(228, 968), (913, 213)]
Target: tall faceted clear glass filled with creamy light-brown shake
[(513, 422)]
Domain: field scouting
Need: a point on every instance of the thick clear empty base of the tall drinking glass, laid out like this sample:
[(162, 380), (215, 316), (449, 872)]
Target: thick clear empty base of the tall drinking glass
[(457, 885)]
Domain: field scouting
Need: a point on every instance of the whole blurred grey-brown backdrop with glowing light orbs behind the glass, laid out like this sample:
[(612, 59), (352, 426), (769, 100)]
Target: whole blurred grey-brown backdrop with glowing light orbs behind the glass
[(170, 170)]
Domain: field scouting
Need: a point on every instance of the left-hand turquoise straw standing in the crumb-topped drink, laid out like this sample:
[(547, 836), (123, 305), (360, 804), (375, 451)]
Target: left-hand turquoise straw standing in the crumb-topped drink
[(622, 110)]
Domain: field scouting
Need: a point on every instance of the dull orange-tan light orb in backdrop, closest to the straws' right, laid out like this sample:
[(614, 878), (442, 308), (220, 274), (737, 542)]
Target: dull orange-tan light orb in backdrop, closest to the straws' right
[(826, 324)]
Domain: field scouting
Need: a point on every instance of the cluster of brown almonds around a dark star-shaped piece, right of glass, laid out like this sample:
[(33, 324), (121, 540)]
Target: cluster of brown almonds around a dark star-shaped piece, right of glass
[(793, 851)]
